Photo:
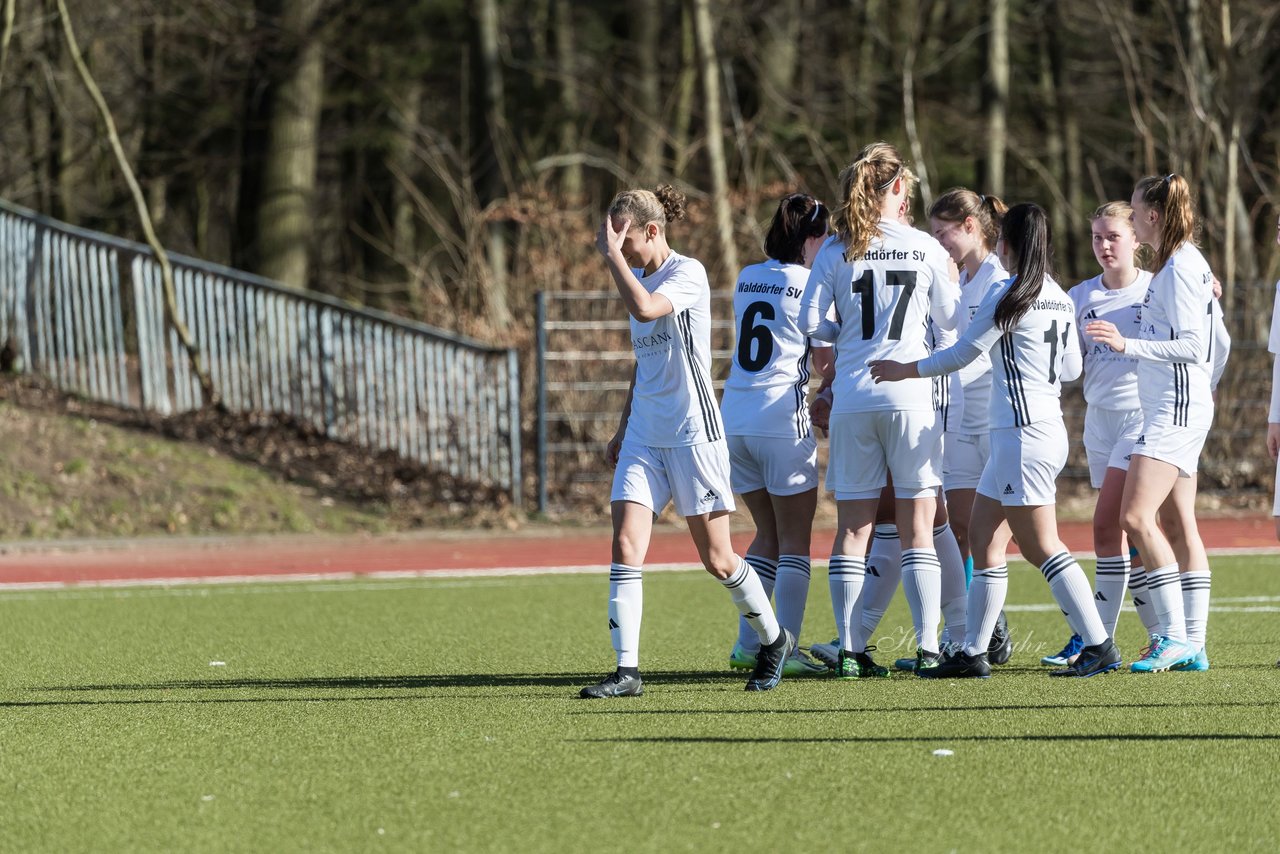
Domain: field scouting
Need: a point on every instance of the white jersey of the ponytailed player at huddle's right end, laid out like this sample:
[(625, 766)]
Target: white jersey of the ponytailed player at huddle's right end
[(1174, 344)]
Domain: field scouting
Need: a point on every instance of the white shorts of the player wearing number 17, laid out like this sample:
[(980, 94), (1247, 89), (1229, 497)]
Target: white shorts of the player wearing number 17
[(867, 447)]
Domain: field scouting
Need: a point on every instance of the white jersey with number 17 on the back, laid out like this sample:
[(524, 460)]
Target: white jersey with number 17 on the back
[(884, 302)]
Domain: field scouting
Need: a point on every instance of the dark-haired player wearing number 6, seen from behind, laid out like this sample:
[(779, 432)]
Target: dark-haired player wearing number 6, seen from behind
[(774, 455)]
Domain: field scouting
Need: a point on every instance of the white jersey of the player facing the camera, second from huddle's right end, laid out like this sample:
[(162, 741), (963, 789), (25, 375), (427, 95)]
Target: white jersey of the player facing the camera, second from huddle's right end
[(1110, 378)]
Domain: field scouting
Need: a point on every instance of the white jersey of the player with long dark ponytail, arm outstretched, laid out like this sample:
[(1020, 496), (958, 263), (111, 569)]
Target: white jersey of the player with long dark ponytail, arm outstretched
[(1030, 363)]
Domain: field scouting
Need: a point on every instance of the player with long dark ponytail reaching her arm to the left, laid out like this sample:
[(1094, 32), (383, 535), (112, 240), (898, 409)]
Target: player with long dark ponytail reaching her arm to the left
[(1027, 325)]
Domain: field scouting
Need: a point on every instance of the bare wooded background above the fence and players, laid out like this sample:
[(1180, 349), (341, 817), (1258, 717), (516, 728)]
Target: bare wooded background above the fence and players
[(449, 159)]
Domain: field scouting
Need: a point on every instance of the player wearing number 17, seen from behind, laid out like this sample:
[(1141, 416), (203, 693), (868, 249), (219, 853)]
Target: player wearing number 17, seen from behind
[(886, 281)]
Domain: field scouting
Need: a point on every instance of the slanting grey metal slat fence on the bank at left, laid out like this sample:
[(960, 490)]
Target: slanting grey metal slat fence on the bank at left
[(86, 310)]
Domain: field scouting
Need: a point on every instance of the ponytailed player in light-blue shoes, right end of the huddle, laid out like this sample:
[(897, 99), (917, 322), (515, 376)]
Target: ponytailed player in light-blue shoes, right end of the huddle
[(1176, 366)]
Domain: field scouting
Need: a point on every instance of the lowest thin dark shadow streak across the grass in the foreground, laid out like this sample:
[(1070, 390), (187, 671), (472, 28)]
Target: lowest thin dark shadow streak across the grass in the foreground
[(940, 739)]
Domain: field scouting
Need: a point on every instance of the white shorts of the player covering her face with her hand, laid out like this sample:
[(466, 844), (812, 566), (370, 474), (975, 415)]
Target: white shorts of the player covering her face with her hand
[(696, 477)]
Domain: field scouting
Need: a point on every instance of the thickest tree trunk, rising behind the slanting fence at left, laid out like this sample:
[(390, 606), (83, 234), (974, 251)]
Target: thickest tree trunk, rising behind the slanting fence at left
[(286, 212)]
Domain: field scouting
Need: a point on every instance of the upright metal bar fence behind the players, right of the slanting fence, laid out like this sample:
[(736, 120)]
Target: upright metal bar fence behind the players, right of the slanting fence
[(586, 362)]
